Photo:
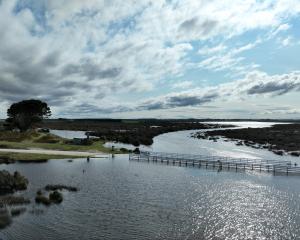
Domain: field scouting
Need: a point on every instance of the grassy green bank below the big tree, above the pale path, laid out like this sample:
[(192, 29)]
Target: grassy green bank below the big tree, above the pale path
[(47, 141)]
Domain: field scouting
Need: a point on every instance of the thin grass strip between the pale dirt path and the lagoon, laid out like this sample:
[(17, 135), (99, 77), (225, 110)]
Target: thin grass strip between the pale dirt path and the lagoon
[(33, 156)]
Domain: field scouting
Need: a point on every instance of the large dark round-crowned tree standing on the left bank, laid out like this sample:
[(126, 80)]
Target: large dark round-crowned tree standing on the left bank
[(23, 114)]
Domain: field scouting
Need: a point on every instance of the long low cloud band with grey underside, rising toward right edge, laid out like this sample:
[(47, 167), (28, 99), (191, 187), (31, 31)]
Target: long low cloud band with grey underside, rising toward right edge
[(254, 84)]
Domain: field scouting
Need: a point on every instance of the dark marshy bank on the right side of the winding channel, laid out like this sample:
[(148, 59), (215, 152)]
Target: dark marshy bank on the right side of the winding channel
[(280, 138)]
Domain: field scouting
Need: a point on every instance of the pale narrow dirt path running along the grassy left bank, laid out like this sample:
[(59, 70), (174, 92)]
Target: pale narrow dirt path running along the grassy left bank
[(53, 152)]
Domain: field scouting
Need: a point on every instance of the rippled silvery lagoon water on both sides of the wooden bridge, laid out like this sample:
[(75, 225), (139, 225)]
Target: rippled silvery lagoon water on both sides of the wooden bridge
[(121, 199)]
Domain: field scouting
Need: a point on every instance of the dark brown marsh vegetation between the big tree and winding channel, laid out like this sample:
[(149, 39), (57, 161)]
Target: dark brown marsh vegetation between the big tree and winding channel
[(135, 132)]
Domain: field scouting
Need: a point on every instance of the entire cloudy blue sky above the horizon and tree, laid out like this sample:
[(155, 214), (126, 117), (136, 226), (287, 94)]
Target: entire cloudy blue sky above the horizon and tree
[(152, 59)]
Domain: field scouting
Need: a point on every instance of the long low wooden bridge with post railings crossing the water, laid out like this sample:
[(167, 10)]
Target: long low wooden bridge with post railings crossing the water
[(218, 162)]
